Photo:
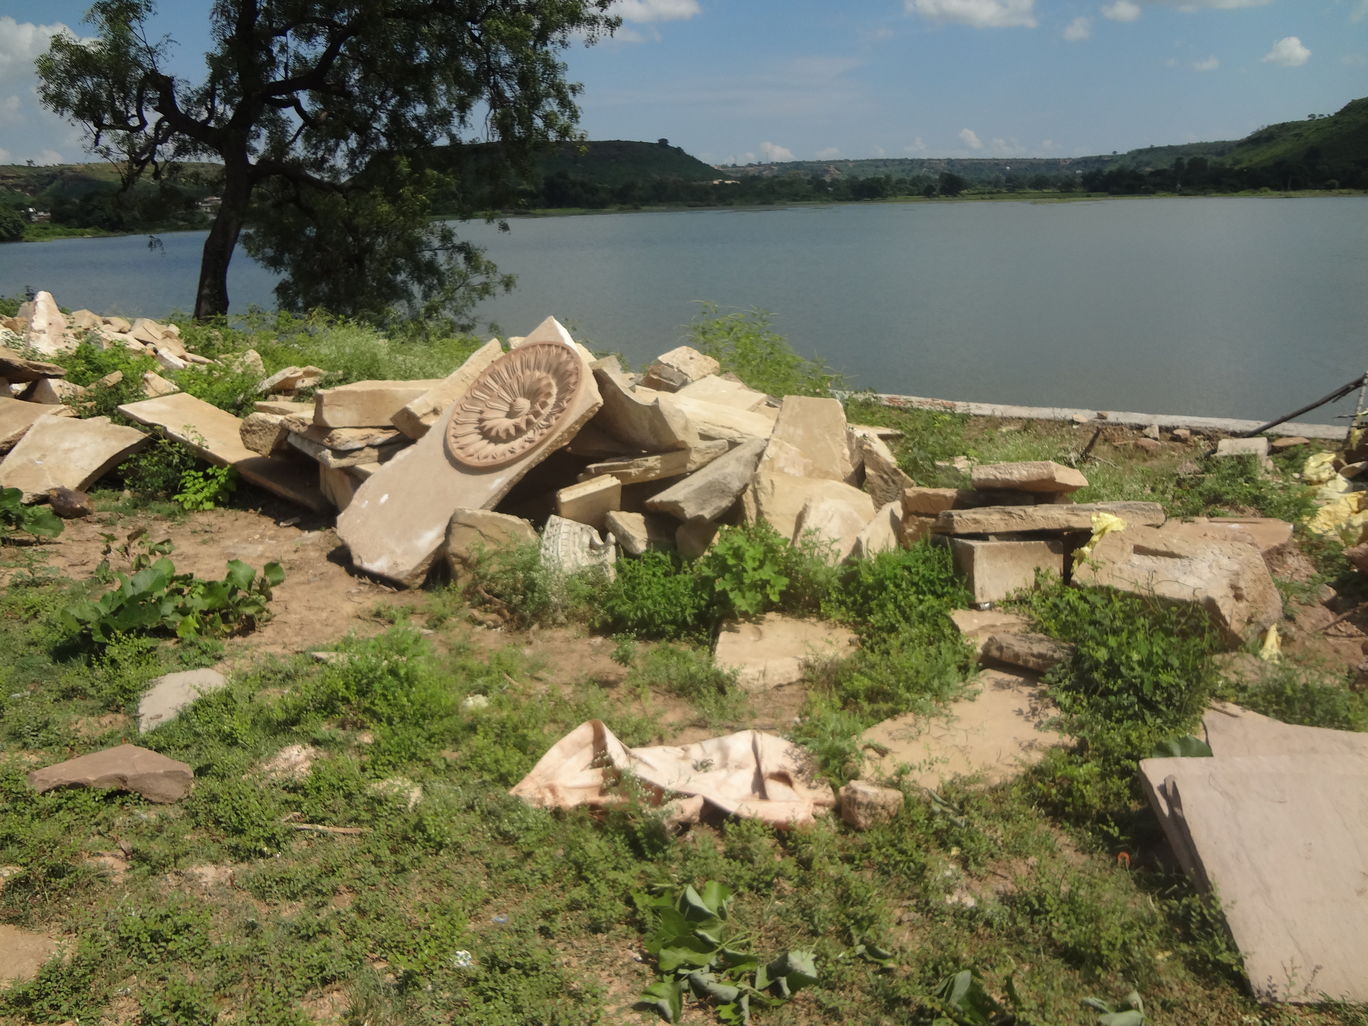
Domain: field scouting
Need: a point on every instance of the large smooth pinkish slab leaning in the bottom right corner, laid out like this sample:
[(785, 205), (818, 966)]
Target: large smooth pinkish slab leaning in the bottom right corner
[(1282, 841)]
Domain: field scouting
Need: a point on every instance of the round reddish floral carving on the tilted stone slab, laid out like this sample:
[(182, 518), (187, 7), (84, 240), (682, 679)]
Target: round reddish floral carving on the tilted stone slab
[(518, 402)]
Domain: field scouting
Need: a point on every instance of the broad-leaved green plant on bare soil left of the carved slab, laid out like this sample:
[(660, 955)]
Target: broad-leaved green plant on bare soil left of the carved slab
[(157, 600)]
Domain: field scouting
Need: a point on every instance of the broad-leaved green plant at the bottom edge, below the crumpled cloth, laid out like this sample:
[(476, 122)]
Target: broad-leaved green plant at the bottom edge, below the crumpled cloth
[(692, 939)]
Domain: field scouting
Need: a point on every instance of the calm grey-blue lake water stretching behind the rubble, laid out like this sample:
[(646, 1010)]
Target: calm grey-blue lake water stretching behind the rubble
[(1217, 307)]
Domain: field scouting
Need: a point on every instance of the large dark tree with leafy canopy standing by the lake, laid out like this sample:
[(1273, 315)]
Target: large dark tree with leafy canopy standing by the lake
[(325, 114)]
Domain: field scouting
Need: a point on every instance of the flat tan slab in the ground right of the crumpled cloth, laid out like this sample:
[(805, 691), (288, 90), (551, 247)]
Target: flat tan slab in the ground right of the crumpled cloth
[(991, 737)]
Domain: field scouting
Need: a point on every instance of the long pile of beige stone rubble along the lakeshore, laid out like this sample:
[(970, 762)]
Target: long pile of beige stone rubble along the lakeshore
[(544, 434)]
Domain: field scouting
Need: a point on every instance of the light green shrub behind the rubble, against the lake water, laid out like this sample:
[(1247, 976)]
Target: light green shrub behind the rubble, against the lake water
[(745, 344)]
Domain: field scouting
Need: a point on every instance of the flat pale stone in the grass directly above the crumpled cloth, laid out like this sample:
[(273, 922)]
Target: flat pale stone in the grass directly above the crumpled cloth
[(775, 650)]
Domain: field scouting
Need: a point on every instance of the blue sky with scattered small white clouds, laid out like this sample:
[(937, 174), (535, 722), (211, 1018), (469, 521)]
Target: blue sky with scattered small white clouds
[(734, 81)]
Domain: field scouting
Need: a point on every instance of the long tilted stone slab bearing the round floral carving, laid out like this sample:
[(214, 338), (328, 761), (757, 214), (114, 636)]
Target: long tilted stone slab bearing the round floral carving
[(522, 408)]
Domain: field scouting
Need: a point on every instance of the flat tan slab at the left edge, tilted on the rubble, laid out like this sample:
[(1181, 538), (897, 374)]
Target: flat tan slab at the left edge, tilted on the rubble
[(66, 453)]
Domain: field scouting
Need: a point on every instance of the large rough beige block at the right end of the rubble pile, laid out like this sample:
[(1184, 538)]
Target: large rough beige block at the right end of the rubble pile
[(1226, 579)]
